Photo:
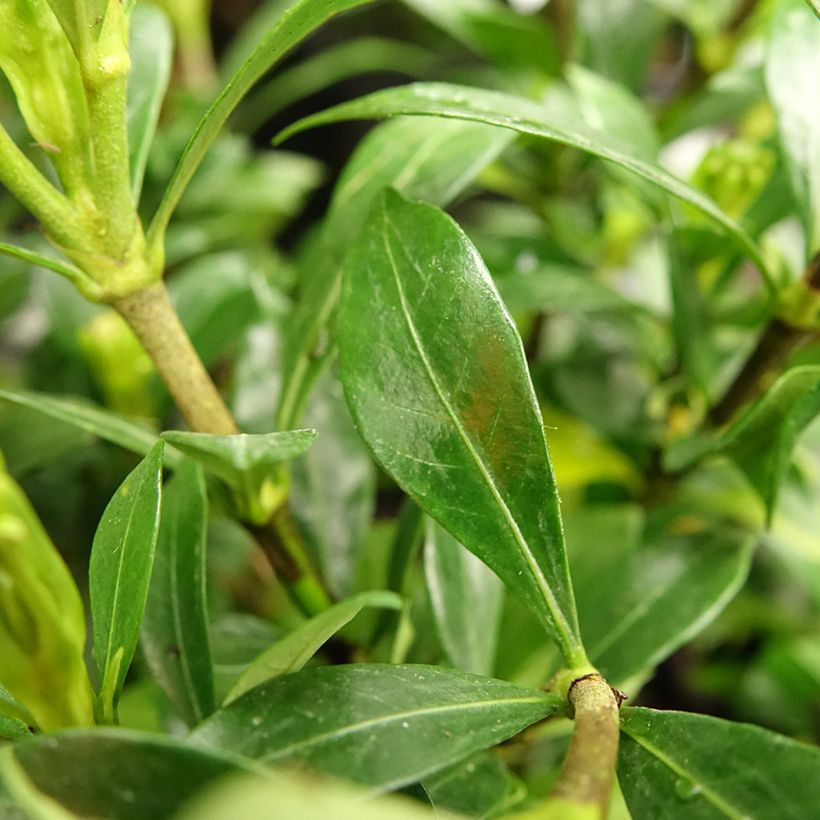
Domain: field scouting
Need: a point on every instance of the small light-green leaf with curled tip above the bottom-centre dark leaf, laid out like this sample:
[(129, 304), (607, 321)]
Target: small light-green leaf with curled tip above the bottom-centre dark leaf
[(293, 651)]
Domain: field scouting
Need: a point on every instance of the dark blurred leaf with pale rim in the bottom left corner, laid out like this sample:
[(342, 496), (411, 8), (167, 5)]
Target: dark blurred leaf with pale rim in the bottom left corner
[(135, 775)]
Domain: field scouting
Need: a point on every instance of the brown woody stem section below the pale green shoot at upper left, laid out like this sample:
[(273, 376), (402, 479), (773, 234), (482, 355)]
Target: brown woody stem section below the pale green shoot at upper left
[(153, 319)]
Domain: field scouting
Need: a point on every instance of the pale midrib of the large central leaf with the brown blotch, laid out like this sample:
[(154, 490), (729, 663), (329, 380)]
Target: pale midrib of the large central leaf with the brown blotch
[(561, 624)]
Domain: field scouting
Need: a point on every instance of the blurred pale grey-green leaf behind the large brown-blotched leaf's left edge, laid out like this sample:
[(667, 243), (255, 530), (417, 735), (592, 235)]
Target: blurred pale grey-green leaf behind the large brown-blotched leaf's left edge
[(334, 489)]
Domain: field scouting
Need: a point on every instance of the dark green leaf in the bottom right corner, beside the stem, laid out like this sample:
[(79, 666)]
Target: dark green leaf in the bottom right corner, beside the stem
[(677, 765)]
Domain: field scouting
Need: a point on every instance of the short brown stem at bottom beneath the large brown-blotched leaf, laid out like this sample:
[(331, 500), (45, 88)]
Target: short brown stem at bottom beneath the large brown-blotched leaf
[(585, 783)]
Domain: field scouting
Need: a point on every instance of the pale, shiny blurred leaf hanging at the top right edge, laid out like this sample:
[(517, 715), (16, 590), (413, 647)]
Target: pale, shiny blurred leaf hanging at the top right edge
[(792, 68)]
